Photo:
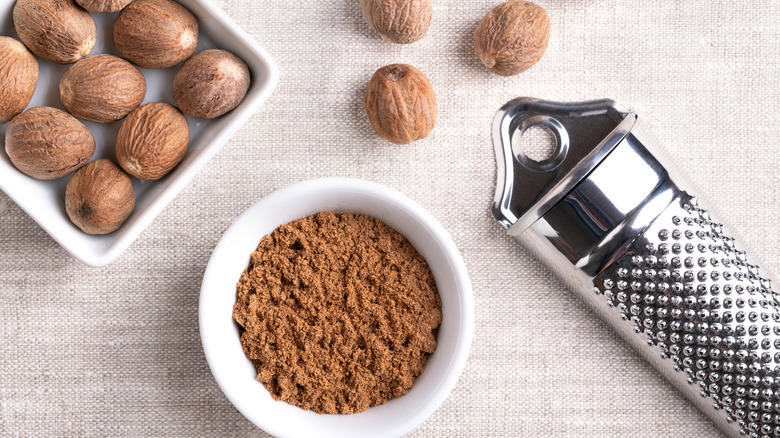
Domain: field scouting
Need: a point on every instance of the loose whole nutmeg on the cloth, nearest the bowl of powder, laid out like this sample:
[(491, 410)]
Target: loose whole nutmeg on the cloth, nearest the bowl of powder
[(400, 104)]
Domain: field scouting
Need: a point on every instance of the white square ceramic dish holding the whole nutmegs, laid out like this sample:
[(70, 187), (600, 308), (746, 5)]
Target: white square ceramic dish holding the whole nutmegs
[(44, 201)]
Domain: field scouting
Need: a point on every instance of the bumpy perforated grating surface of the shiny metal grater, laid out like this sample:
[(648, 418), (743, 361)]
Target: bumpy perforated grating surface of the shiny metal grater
[(685, 286)]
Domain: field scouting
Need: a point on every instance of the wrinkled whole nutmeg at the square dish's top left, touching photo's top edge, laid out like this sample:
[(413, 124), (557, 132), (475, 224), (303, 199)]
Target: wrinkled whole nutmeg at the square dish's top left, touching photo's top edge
[(59, 31)]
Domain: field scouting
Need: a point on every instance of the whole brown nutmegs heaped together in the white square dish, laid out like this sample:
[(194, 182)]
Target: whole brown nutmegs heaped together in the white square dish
[(48, 143)]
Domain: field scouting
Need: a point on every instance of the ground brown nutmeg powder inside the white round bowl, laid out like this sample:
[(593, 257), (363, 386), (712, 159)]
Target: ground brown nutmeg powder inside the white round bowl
[(338, 313)]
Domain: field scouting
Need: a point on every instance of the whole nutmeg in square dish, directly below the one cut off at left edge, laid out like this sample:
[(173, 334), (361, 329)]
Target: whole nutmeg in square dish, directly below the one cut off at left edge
[(47, 143)]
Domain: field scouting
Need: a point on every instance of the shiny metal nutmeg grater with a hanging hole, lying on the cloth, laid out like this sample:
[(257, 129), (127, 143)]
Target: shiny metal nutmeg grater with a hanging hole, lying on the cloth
[(624, 230)]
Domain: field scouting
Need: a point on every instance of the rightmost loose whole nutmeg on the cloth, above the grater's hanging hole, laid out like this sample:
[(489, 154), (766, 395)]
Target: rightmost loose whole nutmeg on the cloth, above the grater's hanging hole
[(512, 37)]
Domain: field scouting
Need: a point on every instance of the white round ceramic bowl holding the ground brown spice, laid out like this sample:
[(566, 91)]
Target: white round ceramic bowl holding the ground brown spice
[(219, 333)]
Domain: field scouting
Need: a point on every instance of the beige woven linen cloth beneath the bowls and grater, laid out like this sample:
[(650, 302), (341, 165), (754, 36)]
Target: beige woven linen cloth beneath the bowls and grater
[(115, 351)]
